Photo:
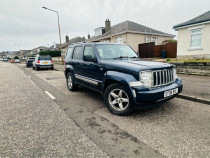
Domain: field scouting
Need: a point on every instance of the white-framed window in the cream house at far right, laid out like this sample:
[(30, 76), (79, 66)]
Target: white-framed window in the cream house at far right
[(195, 38)]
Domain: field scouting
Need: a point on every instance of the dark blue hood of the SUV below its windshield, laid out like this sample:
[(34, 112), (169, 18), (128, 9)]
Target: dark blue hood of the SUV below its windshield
[(135, 65)]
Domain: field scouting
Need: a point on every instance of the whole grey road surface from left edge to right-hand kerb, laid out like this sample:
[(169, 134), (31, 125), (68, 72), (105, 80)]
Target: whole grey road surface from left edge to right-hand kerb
[(78, 124)]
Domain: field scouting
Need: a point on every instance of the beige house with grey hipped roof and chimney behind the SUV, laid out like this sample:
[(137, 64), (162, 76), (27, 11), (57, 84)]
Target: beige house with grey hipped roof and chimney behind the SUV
[(130, 33)]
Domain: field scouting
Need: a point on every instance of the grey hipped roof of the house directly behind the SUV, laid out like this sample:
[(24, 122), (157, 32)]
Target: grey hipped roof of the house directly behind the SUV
[(129, 26)]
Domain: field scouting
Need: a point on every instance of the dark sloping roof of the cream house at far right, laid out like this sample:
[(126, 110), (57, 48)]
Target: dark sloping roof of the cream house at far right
[(199, 19)]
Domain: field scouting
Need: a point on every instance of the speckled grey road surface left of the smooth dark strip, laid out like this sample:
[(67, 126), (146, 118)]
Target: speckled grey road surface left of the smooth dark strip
[(33, 125)]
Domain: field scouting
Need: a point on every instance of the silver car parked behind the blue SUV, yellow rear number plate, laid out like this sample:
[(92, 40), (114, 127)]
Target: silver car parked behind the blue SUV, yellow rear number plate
[(43, 62)]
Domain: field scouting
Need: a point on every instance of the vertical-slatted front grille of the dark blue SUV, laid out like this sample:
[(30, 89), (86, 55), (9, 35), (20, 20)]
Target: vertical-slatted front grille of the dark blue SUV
[(162, 77)]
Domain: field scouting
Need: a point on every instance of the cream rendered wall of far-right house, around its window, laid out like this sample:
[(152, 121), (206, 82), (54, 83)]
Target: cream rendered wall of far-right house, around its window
[(184, 39)]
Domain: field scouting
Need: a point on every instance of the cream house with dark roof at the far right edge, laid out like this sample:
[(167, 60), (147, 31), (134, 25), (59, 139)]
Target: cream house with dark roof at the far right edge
[(194, 37)]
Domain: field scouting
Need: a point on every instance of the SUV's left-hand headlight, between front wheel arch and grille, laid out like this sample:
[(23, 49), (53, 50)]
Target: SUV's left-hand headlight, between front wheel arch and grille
[(146, 78)]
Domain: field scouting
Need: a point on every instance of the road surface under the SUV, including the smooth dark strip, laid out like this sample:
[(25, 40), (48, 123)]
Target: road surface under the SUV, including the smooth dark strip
[(178, 128)]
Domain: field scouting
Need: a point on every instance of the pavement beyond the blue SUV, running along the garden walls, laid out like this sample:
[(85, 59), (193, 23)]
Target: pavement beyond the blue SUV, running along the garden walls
[(196, 88)]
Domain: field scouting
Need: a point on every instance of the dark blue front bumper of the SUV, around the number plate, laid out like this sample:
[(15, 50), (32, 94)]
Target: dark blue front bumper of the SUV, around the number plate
[(145, 98)]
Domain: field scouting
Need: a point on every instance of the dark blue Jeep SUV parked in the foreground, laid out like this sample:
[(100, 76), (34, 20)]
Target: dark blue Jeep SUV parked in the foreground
[(125, 81)]
